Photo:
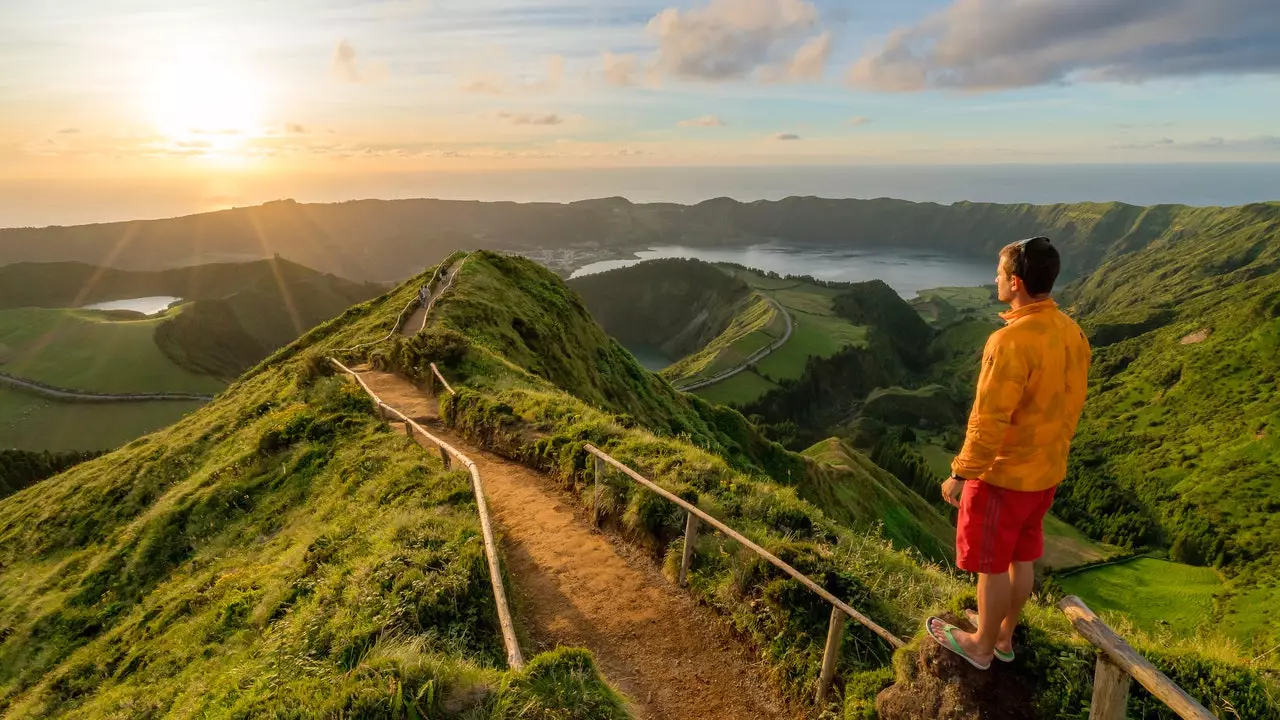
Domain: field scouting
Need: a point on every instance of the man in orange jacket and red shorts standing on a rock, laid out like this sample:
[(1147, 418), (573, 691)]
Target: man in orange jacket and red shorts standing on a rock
[(1031, 391)]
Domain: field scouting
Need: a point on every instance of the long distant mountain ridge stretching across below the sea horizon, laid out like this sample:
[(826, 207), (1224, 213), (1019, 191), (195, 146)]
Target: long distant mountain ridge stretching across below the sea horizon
[(383, 240)]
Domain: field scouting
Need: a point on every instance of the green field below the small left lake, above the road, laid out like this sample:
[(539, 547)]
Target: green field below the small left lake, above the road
[(89, 350)]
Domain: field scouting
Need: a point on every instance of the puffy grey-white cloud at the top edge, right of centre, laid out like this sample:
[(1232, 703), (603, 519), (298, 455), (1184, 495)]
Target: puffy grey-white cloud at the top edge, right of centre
[(730, 40)]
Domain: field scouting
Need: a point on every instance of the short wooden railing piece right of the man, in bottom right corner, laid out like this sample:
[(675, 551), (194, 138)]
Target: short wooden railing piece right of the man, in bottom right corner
[(1119, 664)]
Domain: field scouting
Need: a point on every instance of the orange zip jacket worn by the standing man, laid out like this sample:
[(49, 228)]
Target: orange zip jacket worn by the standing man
[(1031, 393)]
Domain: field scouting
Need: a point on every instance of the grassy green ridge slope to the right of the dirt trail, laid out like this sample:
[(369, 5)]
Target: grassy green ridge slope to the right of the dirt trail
[(537, 380)]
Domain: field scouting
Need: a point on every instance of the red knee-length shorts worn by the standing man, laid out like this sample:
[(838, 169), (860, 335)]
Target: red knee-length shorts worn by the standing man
[(1000, 526)]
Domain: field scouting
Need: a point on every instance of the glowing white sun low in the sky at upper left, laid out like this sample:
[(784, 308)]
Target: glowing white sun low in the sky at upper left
[(200, 101)]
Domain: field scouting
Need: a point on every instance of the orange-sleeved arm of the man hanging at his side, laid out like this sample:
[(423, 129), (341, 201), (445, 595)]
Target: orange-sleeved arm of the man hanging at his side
[(1000, 389)]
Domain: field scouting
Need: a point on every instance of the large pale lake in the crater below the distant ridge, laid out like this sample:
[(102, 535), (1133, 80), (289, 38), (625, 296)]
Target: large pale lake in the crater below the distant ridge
[(907, 272)]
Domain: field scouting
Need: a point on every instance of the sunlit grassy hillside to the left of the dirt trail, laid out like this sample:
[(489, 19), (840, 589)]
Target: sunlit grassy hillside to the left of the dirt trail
[(280, 553)]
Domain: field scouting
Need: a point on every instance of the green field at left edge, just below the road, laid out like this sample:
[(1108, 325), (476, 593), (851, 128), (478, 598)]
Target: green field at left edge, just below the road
[(30, 422)]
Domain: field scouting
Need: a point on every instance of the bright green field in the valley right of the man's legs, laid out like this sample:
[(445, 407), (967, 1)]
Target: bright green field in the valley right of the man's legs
[(1155, 595)]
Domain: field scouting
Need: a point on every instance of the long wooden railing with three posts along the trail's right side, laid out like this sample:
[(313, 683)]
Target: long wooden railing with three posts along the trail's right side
[(840, 610)]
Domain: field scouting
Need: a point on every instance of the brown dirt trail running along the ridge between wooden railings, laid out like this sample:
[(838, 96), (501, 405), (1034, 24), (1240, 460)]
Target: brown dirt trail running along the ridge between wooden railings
[(574, 587)]
